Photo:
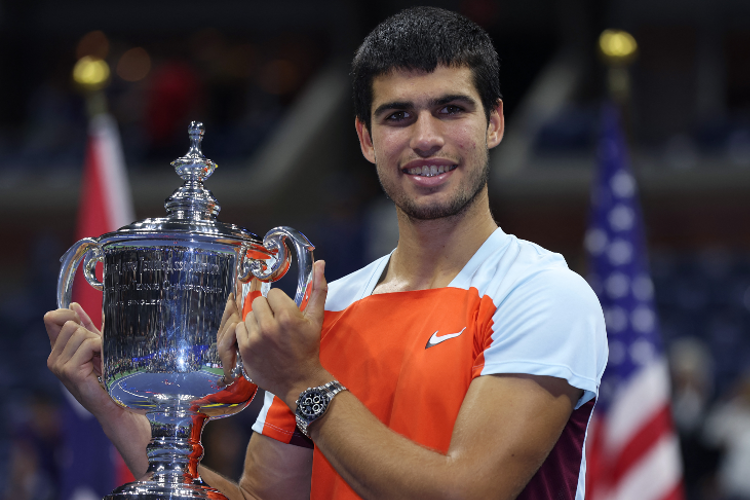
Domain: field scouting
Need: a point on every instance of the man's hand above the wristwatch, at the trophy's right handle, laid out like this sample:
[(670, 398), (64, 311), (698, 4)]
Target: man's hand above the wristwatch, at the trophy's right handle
[(280, 345)]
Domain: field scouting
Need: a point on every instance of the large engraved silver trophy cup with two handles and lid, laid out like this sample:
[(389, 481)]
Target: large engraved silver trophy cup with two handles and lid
[(166, 284)]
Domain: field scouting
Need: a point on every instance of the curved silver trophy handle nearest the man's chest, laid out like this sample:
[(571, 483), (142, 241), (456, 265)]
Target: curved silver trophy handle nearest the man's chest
[(277, 241)]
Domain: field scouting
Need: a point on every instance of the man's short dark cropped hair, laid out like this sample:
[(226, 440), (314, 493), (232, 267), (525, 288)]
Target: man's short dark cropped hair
[(419, 39)]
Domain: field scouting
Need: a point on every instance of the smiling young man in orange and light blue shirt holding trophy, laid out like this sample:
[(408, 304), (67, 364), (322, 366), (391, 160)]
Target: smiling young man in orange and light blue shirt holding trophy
[(465, 364)]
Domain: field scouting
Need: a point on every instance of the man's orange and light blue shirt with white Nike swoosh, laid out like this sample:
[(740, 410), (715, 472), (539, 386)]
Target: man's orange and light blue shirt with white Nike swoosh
[(409, 357)]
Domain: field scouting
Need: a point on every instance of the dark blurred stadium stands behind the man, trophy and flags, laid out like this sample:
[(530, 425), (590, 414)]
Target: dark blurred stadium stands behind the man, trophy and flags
[(270, 82)]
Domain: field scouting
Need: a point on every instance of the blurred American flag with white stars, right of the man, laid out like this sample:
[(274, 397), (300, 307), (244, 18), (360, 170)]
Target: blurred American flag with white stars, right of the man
[(632, 451)]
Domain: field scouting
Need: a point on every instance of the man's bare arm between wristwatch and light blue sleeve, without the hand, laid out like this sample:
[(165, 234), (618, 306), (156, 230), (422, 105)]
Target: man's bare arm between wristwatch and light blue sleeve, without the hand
[(506, 427)]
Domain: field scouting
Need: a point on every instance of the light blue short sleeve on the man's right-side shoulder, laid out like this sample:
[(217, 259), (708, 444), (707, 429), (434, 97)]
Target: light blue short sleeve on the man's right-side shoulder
[(550, 323)]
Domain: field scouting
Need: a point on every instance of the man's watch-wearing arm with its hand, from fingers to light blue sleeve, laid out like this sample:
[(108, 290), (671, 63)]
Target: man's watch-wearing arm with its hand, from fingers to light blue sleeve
[(505, 429)]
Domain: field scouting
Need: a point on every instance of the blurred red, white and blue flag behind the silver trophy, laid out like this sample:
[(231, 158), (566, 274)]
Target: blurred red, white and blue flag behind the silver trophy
[(93, 467)]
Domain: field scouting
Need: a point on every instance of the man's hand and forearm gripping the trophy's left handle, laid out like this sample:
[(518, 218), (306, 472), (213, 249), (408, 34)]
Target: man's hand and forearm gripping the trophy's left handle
[(76, 359)]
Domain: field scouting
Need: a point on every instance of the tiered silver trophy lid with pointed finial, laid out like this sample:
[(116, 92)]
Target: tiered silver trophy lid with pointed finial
[(192, 209)]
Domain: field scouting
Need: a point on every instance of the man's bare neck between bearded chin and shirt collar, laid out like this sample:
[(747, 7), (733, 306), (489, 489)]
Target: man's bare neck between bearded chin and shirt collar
[(430, 253)]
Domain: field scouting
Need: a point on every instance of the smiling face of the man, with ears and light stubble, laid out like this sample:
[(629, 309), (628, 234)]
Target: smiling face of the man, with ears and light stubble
[(429, 139)]
